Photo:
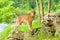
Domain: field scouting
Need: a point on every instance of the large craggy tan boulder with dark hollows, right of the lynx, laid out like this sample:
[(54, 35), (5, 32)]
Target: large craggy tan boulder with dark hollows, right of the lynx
[(52, 22)]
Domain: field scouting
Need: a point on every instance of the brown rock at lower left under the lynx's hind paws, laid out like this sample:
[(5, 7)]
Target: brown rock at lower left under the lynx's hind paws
[(16, 35)]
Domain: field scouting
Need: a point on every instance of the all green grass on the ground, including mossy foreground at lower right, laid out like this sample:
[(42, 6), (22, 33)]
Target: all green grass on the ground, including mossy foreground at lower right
[(24, 27)]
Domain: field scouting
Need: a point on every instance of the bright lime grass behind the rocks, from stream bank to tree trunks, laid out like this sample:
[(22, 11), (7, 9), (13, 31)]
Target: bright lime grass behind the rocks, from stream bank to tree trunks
[(23, 28)]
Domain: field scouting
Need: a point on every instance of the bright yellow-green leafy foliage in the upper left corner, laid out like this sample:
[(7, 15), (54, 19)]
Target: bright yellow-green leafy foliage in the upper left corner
[(6, 10)]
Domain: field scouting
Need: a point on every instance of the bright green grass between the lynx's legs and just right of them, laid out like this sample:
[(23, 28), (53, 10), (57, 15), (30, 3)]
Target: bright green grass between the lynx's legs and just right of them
[(24, 27)]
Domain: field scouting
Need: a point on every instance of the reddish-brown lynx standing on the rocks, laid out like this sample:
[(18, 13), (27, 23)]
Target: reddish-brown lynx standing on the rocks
[(27, 17)]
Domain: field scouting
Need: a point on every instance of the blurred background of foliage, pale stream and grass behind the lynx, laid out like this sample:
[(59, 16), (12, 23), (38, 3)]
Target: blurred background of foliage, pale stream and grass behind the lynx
[(19, 7)]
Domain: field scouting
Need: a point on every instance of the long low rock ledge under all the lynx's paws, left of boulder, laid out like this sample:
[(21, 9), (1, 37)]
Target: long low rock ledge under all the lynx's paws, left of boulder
[(19, 35)]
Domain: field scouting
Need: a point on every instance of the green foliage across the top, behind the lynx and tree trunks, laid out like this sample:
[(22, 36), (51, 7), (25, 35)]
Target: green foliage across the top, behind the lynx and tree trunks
[(7, 7)]
